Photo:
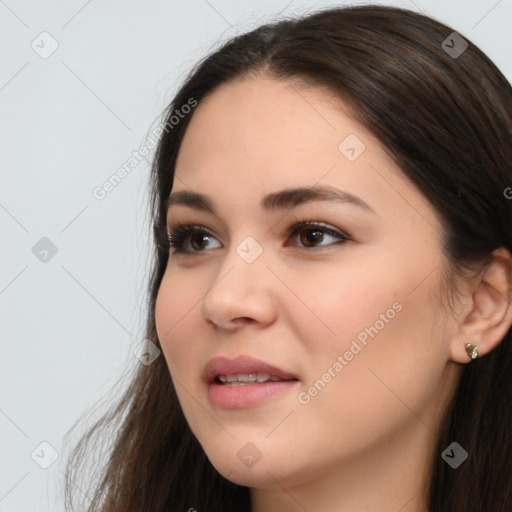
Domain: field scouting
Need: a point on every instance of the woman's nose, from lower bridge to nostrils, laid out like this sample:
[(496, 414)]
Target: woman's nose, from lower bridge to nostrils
[(240, 293)]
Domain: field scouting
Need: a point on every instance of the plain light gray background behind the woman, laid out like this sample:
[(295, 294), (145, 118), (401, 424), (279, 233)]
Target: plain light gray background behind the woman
[(67, 123)]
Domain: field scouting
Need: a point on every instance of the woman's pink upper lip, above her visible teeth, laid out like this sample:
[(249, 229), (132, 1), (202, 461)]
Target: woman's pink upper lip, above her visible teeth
[(222, 365)]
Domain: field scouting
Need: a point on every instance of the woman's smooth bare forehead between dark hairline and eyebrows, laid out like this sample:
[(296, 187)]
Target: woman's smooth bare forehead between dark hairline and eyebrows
[(254, 136)]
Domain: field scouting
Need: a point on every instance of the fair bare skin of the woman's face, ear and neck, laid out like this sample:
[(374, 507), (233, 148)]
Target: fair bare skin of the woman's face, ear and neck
[(363, 442)]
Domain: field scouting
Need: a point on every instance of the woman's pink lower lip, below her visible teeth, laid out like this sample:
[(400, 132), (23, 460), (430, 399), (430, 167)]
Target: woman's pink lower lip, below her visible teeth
[(237, 397)]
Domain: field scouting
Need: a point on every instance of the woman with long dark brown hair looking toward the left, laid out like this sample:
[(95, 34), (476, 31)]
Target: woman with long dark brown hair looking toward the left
[(331, 291)]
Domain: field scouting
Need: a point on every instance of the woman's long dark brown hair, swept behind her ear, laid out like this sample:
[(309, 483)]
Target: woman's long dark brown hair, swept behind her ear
[(446, 120)]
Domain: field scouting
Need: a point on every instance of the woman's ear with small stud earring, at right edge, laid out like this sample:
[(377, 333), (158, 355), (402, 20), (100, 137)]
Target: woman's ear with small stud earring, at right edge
[(488, 313)]
